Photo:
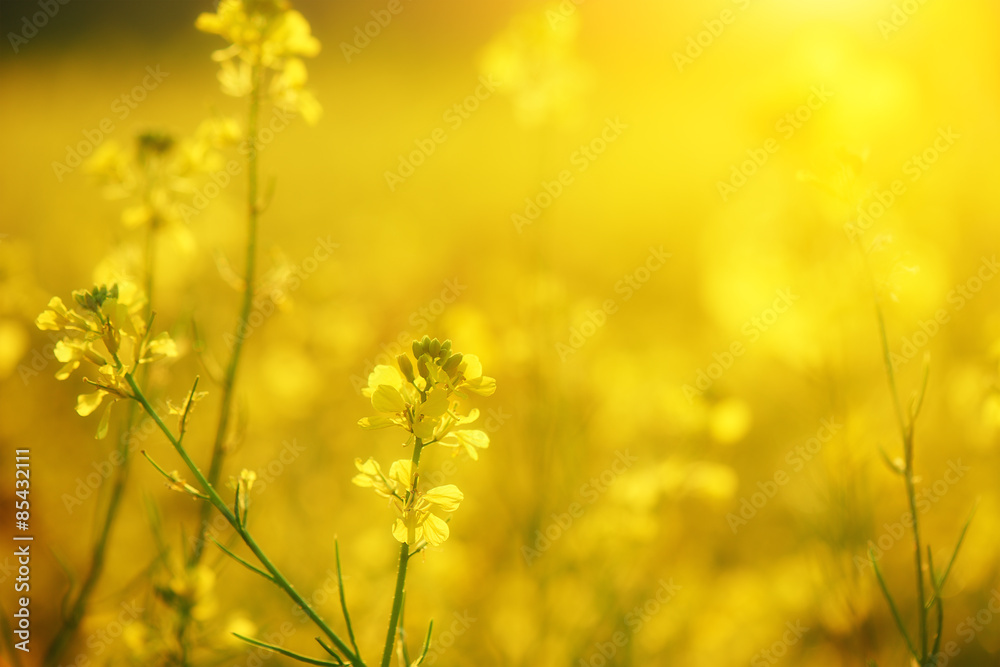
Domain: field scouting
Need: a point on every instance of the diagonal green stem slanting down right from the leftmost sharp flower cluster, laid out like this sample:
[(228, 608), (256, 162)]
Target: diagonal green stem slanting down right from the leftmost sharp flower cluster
[(220, 505)]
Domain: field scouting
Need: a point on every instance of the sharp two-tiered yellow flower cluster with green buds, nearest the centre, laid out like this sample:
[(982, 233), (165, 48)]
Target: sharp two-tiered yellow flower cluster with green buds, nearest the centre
[(418, 395)]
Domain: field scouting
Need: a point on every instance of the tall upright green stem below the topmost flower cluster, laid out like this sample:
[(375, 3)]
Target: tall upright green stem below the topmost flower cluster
[(229, 380)]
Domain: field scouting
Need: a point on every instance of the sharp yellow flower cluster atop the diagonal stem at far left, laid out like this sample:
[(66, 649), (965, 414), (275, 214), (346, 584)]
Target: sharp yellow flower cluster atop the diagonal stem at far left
[(108, 332)]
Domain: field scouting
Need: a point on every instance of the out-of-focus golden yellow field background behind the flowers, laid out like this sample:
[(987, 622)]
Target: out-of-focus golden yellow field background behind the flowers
[(648, 219)]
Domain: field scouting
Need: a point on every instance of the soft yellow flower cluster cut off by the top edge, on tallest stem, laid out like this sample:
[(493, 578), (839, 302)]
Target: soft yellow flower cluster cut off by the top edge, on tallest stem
[(264, 36)]
